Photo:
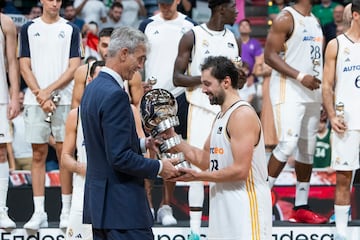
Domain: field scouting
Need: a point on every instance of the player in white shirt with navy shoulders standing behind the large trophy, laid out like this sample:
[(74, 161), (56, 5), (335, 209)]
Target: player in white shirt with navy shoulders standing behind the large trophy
[(164, 31)]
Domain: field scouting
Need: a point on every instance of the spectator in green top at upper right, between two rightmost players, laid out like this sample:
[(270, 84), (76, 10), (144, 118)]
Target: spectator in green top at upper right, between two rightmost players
[(324, 11)]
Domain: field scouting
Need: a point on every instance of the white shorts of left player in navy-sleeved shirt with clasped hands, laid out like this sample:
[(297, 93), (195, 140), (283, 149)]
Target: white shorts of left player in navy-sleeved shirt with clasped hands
[(38, 131)]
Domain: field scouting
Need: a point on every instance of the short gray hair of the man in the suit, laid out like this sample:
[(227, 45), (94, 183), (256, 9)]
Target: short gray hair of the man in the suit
[(126, 37)]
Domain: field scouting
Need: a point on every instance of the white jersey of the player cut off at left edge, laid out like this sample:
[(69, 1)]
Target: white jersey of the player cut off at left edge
[(4, 90)]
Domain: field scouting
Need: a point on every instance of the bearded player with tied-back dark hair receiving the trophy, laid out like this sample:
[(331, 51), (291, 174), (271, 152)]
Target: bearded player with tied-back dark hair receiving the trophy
[(234, 153)]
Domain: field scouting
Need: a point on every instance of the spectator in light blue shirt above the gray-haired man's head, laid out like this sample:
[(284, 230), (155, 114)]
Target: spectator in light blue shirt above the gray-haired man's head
[(134, 11)]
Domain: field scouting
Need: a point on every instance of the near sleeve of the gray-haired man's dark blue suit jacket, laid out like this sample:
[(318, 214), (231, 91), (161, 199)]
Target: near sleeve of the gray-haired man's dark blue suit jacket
[(121, 141)]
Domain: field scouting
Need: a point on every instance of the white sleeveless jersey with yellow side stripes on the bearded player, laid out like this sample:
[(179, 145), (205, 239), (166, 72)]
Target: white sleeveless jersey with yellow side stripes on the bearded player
[(238, 210)]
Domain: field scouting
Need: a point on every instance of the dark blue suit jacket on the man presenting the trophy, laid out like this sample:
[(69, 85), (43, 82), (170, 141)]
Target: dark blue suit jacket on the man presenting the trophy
[(115, 196)]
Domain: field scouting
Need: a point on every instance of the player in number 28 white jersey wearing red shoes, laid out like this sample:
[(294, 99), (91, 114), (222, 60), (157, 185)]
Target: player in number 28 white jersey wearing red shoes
[(294, 50)]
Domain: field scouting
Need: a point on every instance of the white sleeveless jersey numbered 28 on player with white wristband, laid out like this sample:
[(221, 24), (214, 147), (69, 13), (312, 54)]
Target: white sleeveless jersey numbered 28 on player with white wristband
[(304, 52)]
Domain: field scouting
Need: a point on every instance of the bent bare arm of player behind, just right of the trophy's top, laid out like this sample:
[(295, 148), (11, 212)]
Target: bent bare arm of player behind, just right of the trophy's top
[(182, 62)]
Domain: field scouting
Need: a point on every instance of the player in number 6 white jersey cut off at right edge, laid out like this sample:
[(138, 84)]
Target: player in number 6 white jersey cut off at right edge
[(341, 85)]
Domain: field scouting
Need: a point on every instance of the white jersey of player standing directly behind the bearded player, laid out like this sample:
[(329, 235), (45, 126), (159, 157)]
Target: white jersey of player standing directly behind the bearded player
[(208, 43)]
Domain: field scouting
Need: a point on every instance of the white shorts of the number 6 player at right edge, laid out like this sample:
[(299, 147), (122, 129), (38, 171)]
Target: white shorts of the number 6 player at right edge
[(345, 150)]
